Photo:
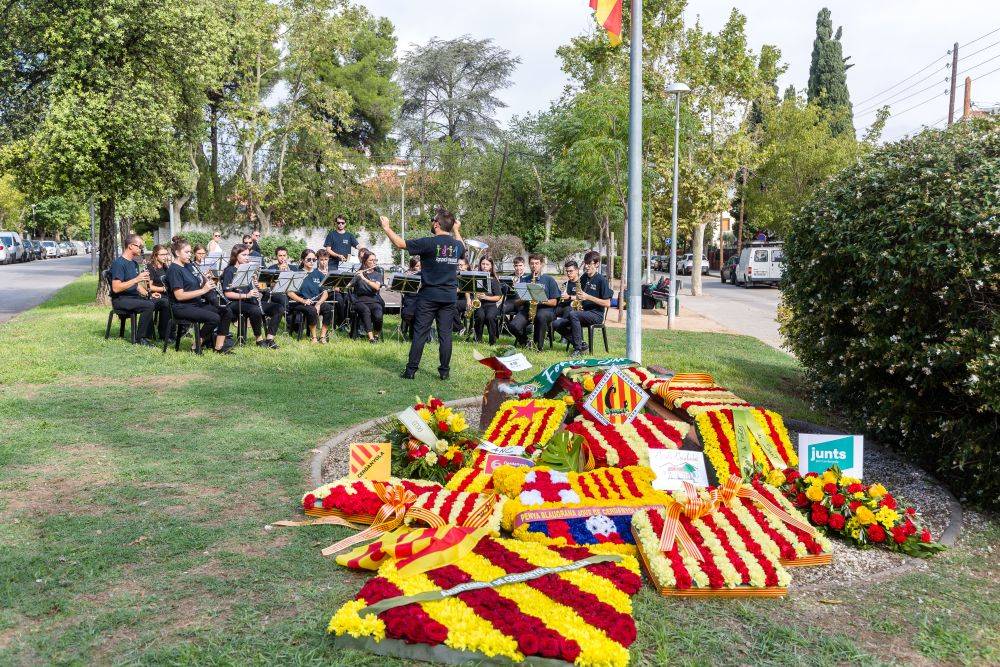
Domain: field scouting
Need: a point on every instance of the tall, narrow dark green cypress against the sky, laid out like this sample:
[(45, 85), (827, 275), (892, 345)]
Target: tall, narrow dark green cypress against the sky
[(828, 75)]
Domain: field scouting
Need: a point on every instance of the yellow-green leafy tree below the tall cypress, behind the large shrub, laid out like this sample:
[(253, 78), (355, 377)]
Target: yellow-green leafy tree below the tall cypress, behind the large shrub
[(799, 152)]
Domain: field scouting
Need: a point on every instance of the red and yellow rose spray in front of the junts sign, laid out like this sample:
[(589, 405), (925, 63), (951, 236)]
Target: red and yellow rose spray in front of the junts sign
[(866, 514)]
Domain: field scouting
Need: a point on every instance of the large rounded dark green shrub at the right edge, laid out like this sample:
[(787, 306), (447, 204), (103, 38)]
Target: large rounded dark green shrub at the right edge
[(893, 281)]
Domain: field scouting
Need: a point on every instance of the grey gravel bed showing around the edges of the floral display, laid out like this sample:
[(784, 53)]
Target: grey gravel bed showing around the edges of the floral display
[(850, 564)]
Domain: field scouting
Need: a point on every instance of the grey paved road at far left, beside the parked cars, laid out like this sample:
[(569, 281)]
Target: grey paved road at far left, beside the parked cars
[(24, 286)]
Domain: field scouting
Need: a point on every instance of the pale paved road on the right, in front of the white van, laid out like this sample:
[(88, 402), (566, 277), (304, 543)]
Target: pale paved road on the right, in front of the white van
[(750, 311)]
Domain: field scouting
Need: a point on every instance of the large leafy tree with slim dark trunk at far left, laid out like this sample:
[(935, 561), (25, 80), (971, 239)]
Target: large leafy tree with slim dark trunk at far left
[(107, 88)]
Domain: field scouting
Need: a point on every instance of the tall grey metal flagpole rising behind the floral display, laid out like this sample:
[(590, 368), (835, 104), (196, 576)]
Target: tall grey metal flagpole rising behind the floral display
[(633, 319)]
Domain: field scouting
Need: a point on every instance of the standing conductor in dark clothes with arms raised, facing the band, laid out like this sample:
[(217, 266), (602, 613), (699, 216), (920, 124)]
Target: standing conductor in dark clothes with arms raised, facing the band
[(439, 255)]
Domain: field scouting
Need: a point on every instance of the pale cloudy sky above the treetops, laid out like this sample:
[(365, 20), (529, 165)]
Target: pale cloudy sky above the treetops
[(888, 41)]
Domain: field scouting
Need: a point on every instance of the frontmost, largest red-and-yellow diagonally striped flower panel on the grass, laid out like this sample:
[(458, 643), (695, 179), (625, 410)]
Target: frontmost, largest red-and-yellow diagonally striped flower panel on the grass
[(581, 616)]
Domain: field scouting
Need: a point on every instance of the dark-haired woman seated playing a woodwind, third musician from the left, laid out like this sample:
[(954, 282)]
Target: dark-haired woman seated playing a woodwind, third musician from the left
[(189, 290)]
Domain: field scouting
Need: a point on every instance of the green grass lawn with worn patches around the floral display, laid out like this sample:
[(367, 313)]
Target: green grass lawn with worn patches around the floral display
[(134, 488)]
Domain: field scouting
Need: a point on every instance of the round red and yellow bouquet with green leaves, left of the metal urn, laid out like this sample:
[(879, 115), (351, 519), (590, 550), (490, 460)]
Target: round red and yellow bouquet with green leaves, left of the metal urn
[(414, 459)]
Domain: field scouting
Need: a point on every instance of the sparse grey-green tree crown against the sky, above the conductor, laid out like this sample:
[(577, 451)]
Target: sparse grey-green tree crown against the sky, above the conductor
[(450, 90)]
